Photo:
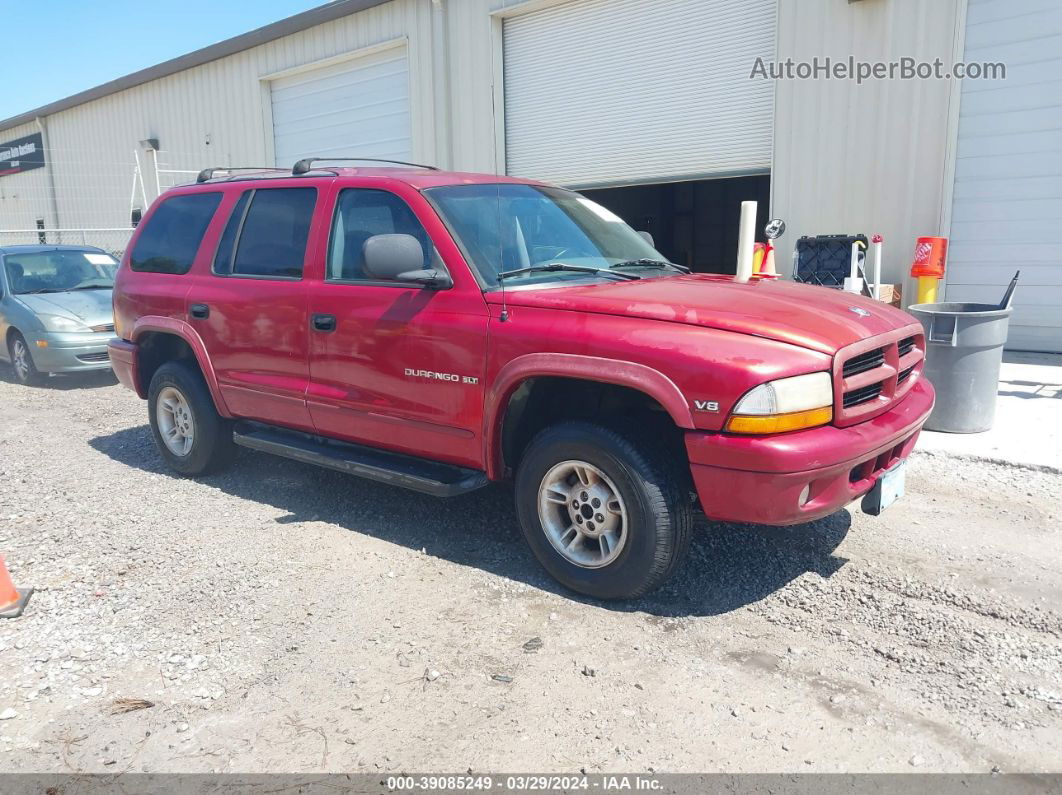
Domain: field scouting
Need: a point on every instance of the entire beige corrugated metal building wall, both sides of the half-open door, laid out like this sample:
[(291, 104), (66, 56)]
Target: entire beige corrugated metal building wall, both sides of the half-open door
[(847, 159)]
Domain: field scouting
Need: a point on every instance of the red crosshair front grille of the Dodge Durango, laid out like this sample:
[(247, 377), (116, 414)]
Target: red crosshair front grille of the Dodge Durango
[(868, 382)]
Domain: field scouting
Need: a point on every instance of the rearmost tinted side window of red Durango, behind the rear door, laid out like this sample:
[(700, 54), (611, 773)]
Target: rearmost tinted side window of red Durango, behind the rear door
[(173, 235)]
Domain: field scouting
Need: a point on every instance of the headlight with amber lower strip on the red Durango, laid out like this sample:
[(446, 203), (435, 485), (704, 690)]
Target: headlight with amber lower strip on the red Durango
[(786, 405)]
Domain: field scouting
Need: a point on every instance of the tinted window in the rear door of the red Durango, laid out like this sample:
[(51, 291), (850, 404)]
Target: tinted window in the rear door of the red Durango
[(266, 236)]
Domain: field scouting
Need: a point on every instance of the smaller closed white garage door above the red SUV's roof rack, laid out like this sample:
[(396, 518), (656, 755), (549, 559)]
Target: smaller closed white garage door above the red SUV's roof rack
[(354, 109)]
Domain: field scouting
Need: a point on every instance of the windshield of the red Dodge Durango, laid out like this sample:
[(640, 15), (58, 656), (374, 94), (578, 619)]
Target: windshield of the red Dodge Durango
[(509, 228)]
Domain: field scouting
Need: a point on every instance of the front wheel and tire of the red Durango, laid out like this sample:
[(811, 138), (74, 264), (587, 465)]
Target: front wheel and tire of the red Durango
[(607, 514)]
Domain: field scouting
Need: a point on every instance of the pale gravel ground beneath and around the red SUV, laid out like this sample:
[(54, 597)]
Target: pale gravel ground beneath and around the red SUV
[(280, 617)]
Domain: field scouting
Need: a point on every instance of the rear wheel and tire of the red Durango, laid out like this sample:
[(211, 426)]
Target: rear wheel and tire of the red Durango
[(190, 434)]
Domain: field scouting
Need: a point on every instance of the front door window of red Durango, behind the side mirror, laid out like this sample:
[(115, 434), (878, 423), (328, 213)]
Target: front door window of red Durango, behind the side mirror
[(361, 214)]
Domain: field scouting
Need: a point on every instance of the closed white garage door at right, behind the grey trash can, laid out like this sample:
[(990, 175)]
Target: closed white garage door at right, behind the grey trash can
[(1008, 175)]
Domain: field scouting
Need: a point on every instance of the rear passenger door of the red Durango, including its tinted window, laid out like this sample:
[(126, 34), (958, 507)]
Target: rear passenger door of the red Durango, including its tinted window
[(251, 309)]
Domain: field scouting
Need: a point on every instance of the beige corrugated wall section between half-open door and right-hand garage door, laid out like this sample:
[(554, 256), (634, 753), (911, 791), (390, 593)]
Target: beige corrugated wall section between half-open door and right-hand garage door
[(872, 158)]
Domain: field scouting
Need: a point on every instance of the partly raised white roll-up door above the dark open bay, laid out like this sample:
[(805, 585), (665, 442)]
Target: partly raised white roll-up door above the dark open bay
[(627, 92)]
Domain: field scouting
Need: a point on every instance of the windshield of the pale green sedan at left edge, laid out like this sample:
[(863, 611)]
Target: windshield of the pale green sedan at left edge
[(60, 271)]
